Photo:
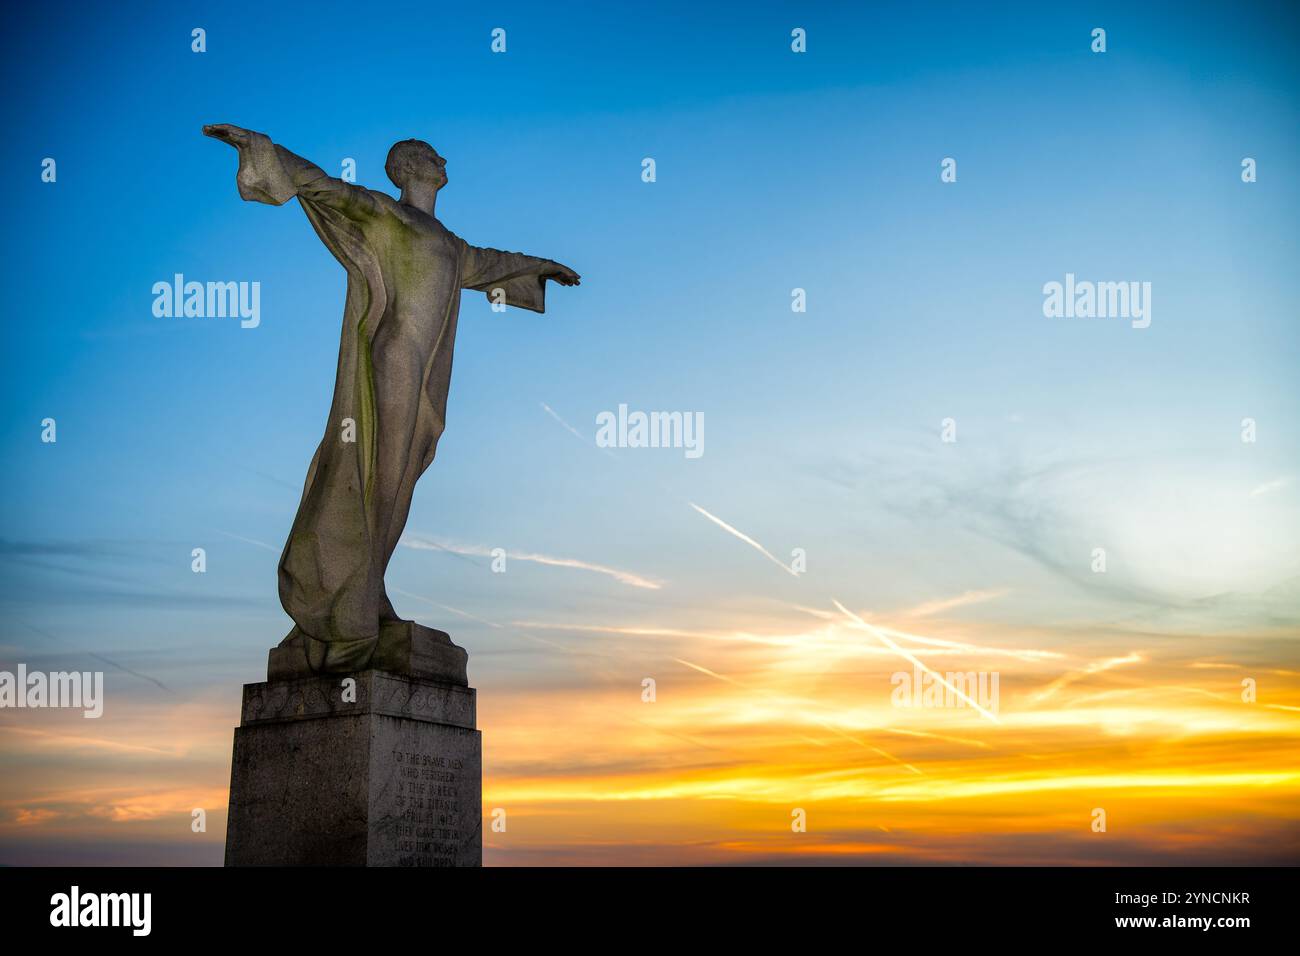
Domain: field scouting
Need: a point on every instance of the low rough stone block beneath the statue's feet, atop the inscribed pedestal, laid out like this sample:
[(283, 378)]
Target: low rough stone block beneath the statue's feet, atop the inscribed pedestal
[(402, 647)]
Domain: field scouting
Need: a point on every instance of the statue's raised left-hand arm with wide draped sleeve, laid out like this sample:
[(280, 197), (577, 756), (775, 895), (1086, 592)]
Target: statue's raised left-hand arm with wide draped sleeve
[(270, 174)]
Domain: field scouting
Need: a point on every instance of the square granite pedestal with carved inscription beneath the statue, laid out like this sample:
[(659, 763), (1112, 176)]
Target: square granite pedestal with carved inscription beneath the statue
[(389, 775)]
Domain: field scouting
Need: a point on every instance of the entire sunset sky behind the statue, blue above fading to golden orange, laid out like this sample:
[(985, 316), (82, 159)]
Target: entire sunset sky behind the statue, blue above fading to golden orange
[(825, 430)]
